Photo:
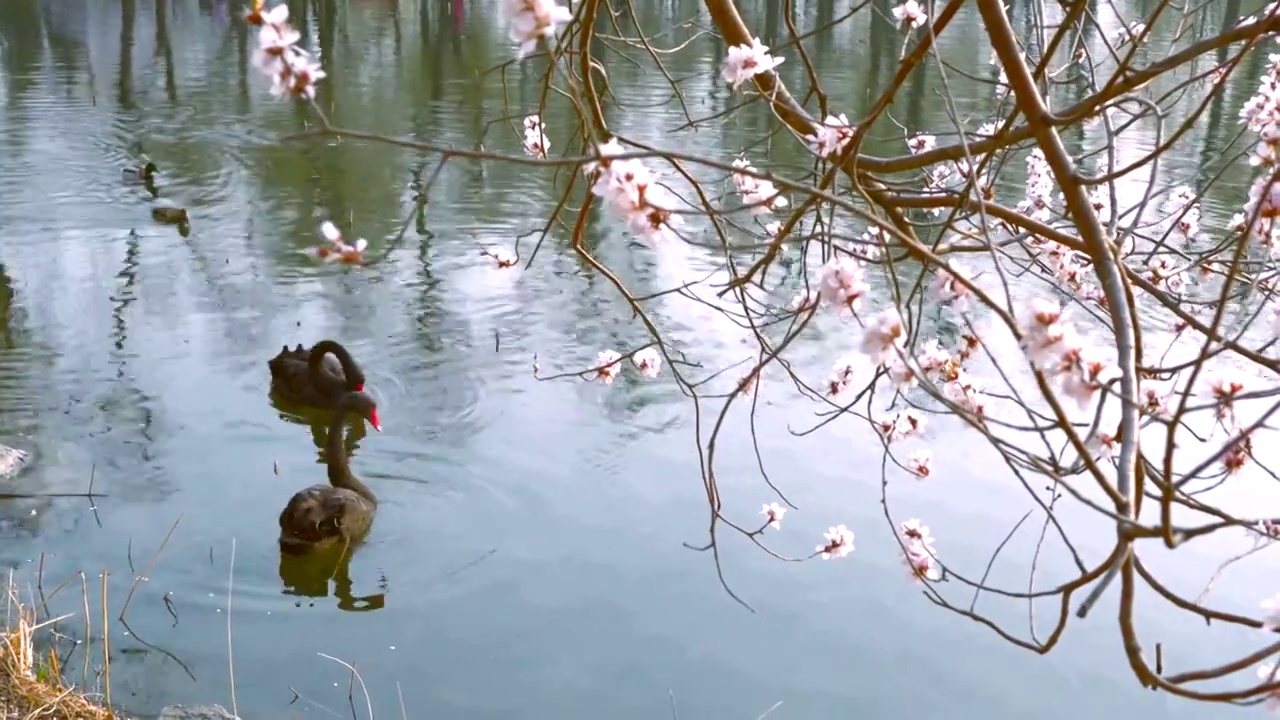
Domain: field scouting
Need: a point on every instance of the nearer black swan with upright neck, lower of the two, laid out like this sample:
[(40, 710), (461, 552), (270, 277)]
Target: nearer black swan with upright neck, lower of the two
[(342, 511)]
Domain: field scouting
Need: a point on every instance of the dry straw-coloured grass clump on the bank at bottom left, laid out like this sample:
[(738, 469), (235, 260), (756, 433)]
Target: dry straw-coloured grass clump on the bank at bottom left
[(33, 686)]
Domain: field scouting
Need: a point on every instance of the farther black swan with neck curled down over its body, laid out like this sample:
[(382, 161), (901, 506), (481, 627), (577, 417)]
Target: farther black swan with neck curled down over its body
[(312, 377)]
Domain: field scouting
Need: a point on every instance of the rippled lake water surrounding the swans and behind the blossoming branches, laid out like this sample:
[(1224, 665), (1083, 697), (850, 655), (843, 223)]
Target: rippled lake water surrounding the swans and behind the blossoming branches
[(527, 559)]
